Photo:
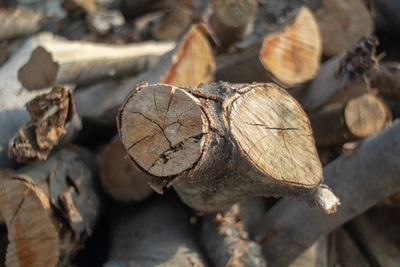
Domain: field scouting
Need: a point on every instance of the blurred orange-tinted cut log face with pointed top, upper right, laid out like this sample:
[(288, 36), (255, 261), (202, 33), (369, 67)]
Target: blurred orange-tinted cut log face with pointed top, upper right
[(293, 56)]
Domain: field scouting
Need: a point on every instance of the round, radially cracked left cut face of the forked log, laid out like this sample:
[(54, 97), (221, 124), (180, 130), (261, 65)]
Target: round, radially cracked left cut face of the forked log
[(164, 129)]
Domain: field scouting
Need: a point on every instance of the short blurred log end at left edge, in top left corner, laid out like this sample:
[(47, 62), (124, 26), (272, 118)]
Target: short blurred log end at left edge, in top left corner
[(18, 22)]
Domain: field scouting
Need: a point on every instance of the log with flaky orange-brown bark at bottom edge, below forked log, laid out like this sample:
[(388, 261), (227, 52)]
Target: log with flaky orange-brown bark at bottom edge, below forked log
[(225, 235)]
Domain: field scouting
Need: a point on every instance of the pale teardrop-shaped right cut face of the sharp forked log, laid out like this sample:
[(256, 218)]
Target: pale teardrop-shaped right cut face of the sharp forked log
[(271, 133)]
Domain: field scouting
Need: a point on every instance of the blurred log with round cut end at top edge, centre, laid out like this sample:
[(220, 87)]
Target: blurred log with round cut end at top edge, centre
[(231, 20)]
